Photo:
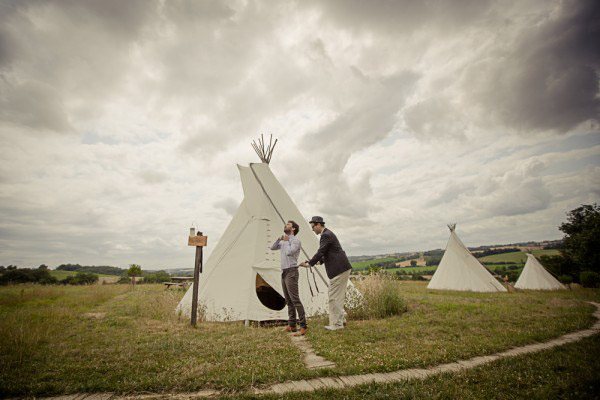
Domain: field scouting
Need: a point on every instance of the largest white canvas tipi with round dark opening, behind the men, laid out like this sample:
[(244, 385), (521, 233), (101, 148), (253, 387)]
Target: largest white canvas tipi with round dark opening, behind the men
[(241, 279)]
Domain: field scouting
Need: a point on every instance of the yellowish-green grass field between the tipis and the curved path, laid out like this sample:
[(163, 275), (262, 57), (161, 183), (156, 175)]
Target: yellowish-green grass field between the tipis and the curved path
[(59, 340)]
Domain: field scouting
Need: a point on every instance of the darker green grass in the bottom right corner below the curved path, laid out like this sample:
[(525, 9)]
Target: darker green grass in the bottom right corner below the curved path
[(567, 372)]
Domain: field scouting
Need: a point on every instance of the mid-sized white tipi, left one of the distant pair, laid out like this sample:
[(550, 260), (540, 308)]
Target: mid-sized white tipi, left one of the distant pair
[(460, 270)]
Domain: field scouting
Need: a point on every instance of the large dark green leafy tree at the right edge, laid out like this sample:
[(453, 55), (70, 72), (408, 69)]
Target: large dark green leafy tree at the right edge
[(581, 244)]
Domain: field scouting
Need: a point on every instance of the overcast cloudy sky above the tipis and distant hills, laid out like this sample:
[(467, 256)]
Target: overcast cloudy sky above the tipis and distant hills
[(121, 122)]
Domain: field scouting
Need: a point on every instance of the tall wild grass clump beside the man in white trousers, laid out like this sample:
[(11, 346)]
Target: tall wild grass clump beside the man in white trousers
[(380, 298)]
